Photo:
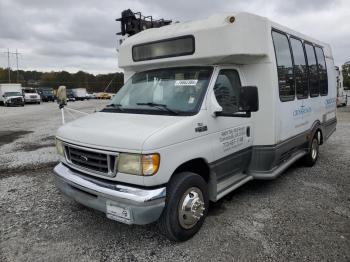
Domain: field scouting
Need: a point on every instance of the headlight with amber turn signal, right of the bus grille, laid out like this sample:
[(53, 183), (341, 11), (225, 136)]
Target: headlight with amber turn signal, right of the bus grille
[(137, 164)]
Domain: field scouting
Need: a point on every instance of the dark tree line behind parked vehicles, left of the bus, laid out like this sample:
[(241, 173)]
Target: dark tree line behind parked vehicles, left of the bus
[(53, 79)]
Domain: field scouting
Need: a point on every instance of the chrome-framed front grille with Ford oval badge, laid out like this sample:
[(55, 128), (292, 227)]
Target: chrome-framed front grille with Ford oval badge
[(94, 162)]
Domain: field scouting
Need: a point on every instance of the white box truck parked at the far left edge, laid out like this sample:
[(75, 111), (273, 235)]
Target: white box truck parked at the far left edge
[(11, 95)]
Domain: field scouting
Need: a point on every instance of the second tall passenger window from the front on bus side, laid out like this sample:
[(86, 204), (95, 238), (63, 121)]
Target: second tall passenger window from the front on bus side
[(300, 70)]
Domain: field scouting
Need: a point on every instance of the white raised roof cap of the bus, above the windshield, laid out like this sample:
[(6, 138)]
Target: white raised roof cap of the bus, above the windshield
[(239, 38)]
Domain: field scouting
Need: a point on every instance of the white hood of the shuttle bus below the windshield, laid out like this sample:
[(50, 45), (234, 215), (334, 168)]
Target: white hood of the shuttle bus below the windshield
[(114, 131)]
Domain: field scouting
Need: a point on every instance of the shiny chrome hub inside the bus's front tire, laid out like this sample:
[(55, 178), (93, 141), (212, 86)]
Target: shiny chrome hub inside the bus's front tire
[(191, 208)]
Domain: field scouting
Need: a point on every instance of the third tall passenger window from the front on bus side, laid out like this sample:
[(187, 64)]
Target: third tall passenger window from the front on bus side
[(313, 73)]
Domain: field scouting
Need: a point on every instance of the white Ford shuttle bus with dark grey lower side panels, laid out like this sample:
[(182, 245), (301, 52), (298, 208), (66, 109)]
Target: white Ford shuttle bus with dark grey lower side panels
[(207, 106)]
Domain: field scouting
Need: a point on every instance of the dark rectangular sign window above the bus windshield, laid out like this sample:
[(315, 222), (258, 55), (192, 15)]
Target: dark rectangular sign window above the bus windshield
[(165, 48)]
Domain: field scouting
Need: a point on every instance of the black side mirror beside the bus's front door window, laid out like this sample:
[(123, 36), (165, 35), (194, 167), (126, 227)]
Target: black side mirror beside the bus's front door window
[(248, 99)]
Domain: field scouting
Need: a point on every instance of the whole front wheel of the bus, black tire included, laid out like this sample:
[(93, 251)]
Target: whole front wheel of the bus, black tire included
[(175, 223)]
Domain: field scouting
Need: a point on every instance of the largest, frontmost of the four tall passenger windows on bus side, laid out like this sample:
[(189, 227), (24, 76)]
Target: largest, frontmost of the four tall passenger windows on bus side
[(284, 67)]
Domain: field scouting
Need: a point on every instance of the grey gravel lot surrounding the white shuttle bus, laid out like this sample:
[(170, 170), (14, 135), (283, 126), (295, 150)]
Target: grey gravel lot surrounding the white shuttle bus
[(301, 216)]
